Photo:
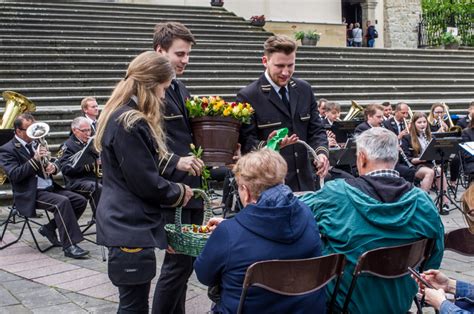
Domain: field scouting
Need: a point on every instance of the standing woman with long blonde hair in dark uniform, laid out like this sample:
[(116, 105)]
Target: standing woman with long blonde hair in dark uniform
[(133, 150)]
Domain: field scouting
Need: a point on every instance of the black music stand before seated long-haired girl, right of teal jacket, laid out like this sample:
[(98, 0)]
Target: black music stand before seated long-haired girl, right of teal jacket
[(439, 149)]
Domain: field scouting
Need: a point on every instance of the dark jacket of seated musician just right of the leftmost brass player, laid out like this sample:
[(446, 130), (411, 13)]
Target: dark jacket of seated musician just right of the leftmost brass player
[(83, 172)]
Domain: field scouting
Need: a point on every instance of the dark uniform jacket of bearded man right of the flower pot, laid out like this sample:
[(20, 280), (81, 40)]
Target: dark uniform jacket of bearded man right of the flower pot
[(271, 114)]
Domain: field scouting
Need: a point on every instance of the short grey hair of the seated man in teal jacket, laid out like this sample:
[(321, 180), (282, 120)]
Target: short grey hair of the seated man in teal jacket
[(379, 144)]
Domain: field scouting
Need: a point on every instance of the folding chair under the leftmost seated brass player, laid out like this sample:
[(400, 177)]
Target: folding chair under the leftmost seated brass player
[(15, 217)]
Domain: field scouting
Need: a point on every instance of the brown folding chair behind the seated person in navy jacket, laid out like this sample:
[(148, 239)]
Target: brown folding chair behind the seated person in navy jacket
[(294, 277)]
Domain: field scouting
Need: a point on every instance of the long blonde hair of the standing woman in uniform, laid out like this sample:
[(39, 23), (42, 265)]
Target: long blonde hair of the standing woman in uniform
[(144, 73)]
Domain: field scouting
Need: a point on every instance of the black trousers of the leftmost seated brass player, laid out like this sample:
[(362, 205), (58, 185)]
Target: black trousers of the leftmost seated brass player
[(67, 208)]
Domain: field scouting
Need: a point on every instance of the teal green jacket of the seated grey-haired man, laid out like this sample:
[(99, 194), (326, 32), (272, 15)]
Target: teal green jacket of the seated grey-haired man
[(351, 223)]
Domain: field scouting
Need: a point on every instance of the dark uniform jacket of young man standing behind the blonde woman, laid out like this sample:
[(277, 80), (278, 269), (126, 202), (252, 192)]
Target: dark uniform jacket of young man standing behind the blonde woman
[(179, 136)]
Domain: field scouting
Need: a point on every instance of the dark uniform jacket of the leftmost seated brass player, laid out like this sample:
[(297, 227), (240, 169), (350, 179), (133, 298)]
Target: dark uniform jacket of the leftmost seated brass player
[(21, 169)]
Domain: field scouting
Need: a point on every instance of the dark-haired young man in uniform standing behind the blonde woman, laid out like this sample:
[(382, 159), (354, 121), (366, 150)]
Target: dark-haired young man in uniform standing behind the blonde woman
[(174, 41)]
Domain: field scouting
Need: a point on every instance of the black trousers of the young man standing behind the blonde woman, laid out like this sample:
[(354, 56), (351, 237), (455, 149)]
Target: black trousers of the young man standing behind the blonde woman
[(170, 291)]
